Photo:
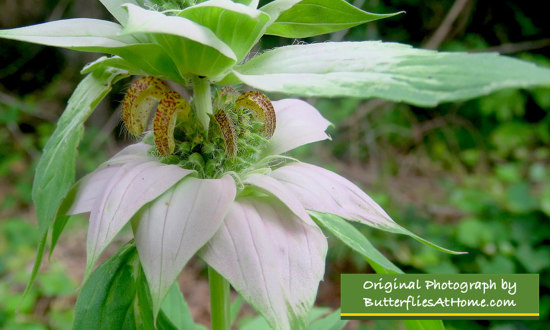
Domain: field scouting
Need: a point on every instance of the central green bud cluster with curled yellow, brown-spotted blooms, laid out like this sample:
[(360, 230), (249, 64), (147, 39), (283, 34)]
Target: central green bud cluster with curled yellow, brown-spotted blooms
[(238, 134)]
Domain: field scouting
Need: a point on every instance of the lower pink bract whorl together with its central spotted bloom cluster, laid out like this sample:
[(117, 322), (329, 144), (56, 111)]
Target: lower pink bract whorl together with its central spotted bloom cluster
[(228, 196)]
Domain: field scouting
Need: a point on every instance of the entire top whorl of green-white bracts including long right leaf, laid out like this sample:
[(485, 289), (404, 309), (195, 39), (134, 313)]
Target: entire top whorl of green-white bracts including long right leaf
[(212, 38)]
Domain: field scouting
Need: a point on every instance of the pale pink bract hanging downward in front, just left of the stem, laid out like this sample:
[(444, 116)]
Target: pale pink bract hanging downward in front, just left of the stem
[(171, 230)]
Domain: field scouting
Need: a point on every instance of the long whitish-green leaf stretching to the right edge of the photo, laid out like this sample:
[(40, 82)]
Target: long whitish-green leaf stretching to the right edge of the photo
[(387, 70)]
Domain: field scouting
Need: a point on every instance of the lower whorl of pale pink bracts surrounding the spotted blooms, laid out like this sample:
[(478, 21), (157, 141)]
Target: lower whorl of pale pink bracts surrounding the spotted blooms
[(250, 225)]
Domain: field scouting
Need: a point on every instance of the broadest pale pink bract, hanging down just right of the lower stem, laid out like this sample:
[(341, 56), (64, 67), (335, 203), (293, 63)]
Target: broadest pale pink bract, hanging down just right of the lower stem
[(272, 258)]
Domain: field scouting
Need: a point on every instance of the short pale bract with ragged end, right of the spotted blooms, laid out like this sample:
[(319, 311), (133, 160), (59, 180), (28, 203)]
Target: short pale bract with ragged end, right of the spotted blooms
[(298, 123)]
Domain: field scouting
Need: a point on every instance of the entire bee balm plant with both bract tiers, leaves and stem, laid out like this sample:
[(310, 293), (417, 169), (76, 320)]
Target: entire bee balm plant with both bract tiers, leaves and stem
[(209, 176)]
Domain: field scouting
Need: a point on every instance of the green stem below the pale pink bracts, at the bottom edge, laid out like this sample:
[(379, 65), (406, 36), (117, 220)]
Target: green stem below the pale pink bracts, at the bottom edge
[(219, 301)]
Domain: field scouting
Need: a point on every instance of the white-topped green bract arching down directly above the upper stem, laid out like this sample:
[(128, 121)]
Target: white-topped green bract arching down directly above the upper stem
[(193, 48)]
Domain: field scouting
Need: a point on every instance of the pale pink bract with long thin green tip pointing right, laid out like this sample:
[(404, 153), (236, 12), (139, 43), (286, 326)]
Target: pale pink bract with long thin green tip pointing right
[(325, 191)]
